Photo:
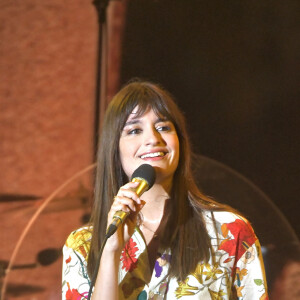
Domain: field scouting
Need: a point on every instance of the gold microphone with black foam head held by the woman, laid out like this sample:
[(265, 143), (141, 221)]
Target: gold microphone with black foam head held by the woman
[(145, 175)]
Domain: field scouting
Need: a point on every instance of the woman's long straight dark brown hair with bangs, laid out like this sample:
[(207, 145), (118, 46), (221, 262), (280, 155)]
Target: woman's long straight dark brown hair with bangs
[(185, 232)]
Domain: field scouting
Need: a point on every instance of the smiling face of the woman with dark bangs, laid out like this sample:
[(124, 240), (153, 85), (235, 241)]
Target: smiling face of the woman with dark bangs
[(149, 139)]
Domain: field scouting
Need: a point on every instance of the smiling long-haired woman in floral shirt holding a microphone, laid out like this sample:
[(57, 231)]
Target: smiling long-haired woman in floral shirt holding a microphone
[(176, 242)]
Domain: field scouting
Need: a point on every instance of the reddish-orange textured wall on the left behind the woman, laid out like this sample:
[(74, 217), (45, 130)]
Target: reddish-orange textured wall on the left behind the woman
[(48, 55)]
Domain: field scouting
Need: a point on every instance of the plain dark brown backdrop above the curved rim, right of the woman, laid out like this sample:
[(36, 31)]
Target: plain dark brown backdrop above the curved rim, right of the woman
[(233, 69)]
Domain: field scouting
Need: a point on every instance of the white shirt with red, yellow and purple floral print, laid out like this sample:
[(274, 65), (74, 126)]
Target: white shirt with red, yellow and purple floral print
[(237, 273)]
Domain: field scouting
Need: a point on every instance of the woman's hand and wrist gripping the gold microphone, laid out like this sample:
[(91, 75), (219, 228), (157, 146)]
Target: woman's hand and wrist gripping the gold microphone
[(128, 201)]
